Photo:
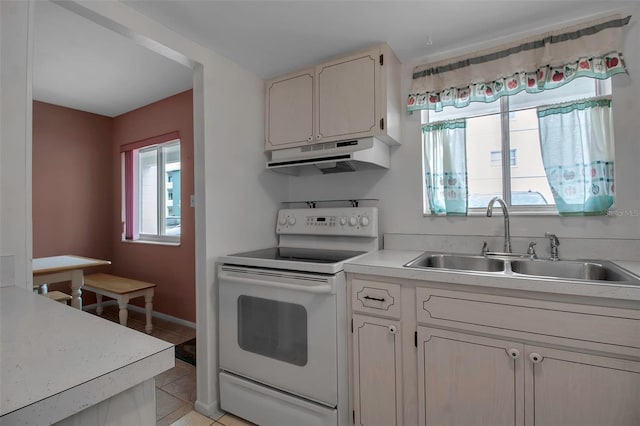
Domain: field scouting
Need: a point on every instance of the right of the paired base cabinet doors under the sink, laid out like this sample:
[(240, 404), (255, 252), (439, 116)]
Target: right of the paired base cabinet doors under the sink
[(573, 389)]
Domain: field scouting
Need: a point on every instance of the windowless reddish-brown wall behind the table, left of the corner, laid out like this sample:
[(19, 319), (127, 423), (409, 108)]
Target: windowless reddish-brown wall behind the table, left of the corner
[(72, 182)]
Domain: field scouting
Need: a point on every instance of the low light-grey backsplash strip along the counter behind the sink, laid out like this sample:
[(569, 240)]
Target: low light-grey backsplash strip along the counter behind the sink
[(570, 248)]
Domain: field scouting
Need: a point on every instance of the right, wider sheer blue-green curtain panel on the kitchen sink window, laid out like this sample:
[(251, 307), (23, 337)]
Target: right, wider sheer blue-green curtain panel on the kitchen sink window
[(579, 130)]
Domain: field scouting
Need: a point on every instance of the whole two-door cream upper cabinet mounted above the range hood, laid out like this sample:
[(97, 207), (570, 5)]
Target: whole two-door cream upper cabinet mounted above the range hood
[(346, 98)]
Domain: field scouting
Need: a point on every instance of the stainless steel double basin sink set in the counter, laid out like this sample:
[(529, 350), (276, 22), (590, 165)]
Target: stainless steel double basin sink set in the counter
[(517, 266)]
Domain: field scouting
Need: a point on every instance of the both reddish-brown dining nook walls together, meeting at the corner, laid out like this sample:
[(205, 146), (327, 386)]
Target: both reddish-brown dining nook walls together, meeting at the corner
[(77, 195)]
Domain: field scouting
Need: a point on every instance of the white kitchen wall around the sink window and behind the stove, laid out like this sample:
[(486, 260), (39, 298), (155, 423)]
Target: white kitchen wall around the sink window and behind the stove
[(399, 189)]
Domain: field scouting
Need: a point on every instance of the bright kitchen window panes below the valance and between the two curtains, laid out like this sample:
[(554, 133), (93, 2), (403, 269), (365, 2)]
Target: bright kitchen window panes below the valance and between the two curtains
[(510, 124)]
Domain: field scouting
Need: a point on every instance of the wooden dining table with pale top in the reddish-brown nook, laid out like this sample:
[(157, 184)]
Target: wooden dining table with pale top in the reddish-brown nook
[(54, 269)]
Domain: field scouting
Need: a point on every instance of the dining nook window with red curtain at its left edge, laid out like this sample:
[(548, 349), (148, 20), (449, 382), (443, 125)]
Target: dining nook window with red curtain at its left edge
[(151, 189)]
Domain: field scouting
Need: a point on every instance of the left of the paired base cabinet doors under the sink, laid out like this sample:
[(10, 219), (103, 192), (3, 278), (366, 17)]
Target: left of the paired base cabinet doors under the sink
[(469, 380)]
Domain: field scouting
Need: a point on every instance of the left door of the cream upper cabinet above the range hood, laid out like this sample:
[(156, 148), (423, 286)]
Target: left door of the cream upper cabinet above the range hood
[(289, 117)]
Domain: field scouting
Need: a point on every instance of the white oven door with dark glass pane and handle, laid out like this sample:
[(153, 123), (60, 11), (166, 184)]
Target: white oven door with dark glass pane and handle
[(279, 328)]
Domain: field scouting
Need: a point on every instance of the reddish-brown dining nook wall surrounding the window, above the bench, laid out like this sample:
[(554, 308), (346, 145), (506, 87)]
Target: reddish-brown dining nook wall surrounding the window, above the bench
[(171, 268)]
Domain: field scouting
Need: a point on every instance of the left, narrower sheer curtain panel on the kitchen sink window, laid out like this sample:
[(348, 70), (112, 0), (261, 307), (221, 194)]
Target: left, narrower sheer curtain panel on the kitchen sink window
[(445, 166)]
